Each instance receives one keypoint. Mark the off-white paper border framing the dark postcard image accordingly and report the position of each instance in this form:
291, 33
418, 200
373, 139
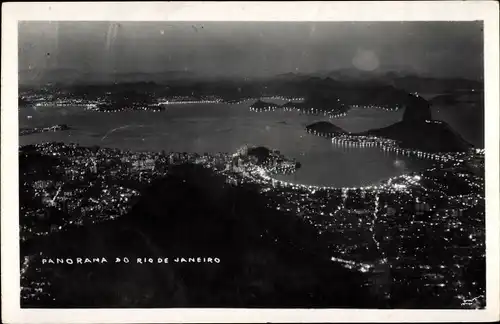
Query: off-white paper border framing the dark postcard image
262, 11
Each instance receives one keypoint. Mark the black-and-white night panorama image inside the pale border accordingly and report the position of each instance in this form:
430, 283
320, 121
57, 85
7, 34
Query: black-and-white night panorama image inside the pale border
251, 164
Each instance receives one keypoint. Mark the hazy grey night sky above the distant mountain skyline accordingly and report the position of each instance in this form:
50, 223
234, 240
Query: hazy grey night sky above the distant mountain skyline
440, 49
